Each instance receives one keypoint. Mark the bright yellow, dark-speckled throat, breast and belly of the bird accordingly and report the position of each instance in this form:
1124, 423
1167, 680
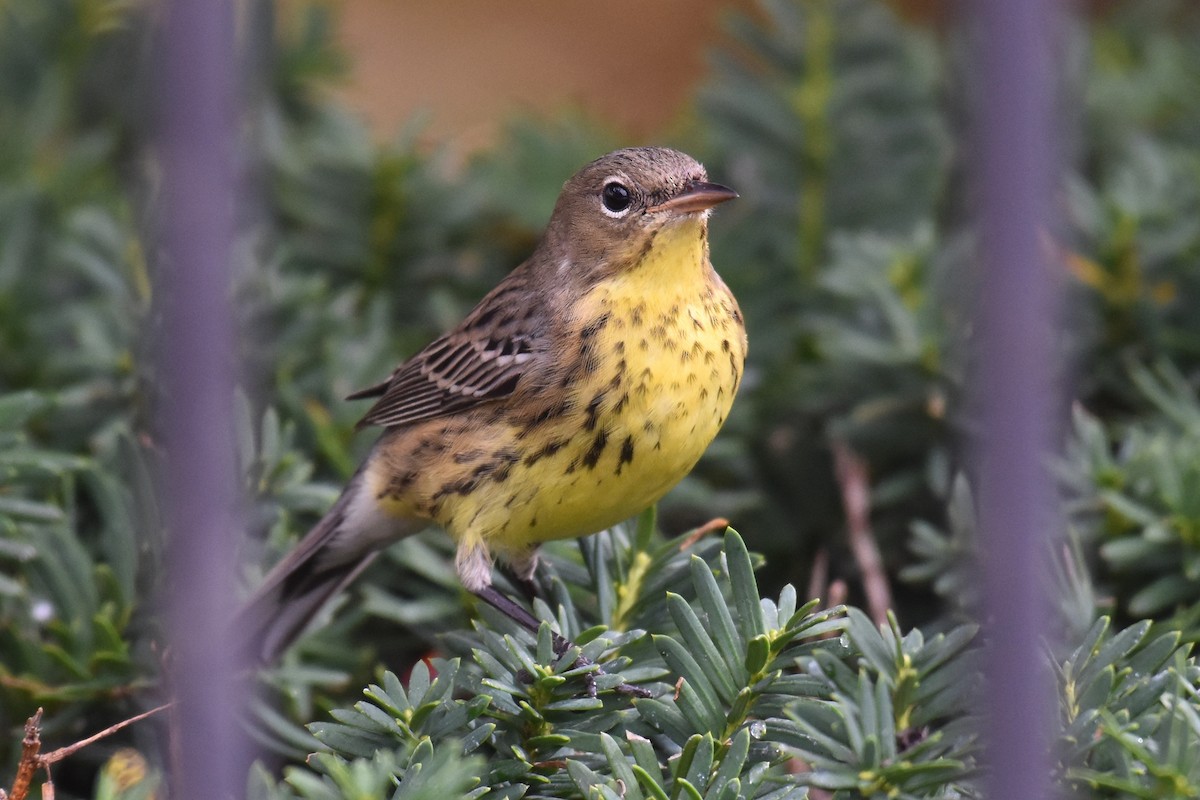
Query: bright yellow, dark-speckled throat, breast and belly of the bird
667, 347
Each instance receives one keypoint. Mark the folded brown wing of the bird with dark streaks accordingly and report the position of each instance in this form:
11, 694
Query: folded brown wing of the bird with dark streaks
481, 362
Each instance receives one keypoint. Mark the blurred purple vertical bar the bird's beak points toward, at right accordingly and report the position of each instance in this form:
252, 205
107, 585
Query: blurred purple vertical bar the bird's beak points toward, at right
1015, 382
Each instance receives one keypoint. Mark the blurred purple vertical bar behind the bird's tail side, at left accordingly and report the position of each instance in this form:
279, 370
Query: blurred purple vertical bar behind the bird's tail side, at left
196, 137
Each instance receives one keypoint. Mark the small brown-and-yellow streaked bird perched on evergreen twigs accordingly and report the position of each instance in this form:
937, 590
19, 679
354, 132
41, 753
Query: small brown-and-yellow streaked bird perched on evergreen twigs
575, 395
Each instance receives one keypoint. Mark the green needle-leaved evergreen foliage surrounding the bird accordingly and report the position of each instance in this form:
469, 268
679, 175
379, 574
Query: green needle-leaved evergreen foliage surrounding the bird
839, 125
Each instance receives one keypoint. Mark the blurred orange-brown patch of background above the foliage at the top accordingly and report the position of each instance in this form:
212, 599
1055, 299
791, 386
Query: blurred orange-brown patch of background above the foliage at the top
470, 65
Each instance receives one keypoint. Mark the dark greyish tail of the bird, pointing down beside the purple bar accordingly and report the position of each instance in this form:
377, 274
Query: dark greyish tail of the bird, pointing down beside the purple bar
322, 566
